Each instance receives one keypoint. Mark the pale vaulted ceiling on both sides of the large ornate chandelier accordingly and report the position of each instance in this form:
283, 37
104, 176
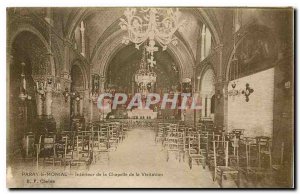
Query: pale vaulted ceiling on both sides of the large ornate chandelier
100, 23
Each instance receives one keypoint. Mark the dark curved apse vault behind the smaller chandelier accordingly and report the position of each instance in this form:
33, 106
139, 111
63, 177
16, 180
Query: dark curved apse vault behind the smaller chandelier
125, 63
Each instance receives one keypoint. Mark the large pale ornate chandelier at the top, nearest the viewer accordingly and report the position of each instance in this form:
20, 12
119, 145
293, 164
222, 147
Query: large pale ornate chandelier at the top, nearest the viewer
151, 25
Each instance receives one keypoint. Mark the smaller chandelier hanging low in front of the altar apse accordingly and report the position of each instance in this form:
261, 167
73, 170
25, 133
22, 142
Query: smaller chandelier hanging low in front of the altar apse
145, 77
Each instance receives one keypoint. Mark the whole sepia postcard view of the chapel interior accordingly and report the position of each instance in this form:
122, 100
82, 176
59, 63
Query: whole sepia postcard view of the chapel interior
239, 62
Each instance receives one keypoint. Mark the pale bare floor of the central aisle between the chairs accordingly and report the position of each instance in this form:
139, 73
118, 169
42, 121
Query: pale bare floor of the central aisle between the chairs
138, 153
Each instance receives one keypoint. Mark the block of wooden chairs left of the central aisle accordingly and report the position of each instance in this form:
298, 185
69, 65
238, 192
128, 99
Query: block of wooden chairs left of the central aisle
74, 148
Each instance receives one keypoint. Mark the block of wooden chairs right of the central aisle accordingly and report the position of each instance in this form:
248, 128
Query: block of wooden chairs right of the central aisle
226, 154
